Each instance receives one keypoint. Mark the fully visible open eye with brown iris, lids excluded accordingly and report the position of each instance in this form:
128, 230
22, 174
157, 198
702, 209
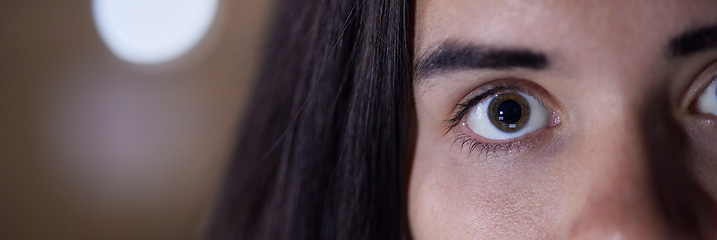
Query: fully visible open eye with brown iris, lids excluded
507, 116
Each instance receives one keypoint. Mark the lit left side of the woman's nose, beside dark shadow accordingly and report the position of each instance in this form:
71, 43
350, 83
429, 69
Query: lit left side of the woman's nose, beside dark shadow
619, 199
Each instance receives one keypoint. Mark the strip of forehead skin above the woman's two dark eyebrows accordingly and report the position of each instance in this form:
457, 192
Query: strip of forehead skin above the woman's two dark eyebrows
553, 25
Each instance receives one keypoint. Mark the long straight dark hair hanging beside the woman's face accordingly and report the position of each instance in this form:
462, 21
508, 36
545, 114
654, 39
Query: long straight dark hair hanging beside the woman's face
322, 149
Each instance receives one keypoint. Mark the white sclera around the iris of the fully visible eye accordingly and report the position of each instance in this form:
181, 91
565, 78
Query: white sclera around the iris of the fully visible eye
479, 122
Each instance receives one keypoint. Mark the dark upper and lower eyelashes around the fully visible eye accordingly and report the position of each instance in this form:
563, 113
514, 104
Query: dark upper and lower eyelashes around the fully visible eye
485, 148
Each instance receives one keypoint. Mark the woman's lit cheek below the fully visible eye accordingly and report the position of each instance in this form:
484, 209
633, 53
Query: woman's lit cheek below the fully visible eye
456, 196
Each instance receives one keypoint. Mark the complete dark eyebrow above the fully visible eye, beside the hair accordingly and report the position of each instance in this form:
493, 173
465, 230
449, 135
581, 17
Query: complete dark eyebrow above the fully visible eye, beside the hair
451, 56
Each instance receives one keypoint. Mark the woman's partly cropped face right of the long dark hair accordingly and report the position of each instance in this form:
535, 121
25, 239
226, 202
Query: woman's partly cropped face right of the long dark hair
565, 119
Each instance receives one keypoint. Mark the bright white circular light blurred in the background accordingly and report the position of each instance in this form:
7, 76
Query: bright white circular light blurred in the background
152, 31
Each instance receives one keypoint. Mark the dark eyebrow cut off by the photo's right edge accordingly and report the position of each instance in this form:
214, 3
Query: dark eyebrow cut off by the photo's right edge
694, 41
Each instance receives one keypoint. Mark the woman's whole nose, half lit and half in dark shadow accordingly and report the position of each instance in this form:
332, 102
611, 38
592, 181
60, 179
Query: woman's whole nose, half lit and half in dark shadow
639, 184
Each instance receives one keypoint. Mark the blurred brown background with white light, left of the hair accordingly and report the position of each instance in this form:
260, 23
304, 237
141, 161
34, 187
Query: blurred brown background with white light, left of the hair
117, 117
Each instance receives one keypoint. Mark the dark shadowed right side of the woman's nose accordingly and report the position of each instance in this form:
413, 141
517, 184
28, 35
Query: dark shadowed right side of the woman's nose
683, 203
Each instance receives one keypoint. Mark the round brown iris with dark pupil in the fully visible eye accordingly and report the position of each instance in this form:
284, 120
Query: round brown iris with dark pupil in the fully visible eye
509, 112
